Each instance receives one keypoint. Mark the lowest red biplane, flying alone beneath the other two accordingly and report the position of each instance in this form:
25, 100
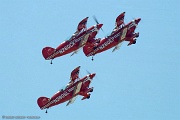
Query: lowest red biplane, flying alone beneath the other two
75, 87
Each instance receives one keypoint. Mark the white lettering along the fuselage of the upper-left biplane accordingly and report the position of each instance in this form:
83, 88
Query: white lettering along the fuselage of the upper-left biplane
72, 43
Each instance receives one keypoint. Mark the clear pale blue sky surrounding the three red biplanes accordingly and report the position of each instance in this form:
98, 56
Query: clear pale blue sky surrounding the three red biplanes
137, 82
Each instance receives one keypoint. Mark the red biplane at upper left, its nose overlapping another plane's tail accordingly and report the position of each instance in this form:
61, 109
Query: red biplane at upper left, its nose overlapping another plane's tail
77, 40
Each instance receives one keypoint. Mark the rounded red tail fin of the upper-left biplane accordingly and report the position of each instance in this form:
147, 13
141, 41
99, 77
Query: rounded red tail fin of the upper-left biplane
47, 51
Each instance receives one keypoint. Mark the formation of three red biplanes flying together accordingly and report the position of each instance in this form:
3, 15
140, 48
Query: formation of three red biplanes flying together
85, 38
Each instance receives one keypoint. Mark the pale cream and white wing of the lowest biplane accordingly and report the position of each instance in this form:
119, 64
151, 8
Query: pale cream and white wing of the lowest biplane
76, 90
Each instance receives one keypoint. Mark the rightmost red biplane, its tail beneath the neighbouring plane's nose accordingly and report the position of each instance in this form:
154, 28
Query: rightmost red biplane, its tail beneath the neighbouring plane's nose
120, 33
